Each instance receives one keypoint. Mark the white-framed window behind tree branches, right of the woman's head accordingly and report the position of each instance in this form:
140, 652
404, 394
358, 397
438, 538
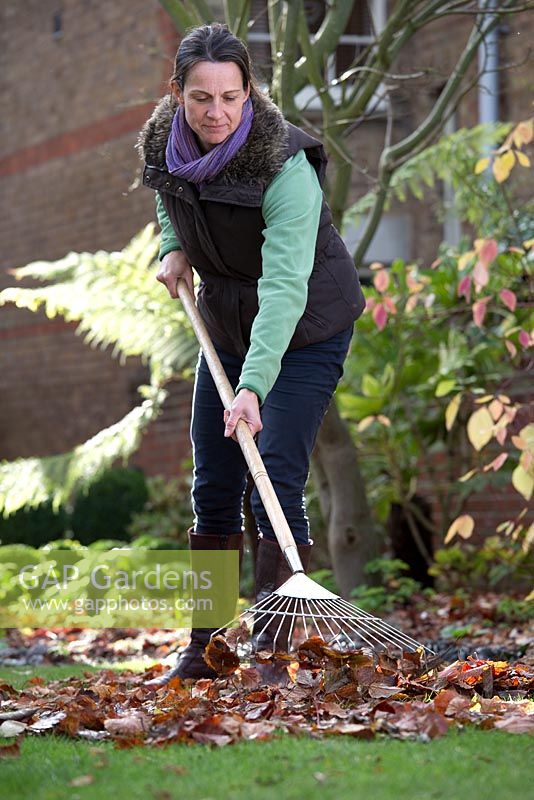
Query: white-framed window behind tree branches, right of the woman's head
367, 17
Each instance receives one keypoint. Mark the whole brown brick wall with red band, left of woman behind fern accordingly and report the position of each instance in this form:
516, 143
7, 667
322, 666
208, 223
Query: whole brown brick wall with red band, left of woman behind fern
68, 170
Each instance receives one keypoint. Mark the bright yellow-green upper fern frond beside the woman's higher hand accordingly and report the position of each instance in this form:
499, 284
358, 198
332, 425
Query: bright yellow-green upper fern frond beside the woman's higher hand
116, 300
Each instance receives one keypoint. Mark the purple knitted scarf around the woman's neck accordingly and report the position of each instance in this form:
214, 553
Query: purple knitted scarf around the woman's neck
184, 157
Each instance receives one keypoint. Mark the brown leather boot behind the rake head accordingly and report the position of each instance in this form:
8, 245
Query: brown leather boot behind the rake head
272, 570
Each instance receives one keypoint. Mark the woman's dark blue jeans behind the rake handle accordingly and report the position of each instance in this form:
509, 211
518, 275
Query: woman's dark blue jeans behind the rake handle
291, 416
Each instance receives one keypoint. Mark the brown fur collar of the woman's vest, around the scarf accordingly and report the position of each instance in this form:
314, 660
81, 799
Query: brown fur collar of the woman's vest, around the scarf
258, 161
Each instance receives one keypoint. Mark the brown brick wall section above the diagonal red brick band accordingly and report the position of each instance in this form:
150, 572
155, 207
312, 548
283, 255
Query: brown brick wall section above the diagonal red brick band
108, 58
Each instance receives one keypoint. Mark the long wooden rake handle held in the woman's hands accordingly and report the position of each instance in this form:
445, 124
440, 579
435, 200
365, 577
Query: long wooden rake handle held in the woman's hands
243, 435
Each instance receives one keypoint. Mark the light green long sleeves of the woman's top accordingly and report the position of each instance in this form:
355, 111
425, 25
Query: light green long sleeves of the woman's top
291, 209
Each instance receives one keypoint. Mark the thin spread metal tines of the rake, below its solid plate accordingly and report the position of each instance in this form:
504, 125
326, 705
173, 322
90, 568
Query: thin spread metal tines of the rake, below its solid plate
336, 621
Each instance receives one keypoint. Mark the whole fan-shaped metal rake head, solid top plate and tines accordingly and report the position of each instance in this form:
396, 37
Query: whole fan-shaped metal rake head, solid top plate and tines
302, 608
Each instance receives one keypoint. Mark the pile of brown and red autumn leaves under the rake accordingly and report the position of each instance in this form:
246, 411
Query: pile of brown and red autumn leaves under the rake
356, 693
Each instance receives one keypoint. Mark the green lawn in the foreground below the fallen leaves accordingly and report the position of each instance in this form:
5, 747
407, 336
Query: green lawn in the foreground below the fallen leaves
471, 764
